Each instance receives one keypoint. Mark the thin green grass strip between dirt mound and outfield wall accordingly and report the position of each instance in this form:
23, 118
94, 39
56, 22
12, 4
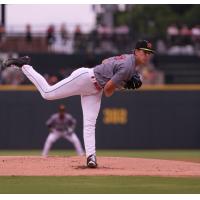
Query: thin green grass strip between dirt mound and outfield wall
190, 155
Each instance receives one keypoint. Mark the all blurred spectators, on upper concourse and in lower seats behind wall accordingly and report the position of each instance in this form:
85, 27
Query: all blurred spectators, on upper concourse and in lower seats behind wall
104, 40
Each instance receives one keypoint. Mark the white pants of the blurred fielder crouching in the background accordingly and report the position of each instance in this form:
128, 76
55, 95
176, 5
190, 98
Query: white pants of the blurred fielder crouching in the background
55, 135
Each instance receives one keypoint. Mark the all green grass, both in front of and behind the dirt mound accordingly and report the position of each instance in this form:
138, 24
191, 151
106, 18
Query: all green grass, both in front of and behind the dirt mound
105, 184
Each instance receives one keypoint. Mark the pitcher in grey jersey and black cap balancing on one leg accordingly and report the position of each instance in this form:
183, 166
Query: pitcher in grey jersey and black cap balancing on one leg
112, 74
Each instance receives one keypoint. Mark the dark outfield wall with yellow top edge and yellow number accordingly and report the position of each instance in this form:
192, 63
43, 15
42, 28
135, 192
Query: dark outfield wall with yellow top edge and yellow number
152, 118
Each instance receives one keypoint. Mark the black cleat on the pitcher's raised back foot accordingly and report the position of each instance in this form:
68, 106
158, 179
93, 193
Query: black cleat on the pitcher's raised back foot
19, 62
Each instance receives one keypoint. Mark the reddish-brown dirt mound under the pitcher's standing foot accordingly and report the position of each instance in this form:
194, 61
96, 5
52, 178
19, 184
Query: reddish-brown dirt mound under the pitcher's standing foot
75, 166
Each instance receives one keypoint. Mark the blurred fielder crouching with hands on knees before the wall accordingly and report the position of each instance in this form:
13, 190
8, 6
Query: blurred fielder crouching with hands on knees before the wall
62, 124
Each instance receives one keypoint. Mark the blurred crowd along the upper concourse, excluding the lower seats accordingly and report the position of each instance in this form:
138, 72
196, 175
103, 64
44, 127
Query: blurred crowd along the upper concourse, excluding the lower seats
102, 39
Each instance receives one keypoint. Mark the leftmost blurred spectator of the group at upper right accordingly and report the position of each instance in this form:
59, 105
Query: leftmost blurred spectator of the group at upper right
172, 34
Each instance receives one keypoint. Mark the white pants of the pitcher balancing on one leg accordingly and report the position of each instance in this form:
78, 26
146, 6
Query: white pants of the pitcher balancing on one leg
78, 83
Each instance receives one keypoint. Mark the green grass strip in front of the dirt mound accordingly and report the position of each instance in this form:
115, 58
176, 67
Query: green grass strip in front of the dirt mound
99, 185
